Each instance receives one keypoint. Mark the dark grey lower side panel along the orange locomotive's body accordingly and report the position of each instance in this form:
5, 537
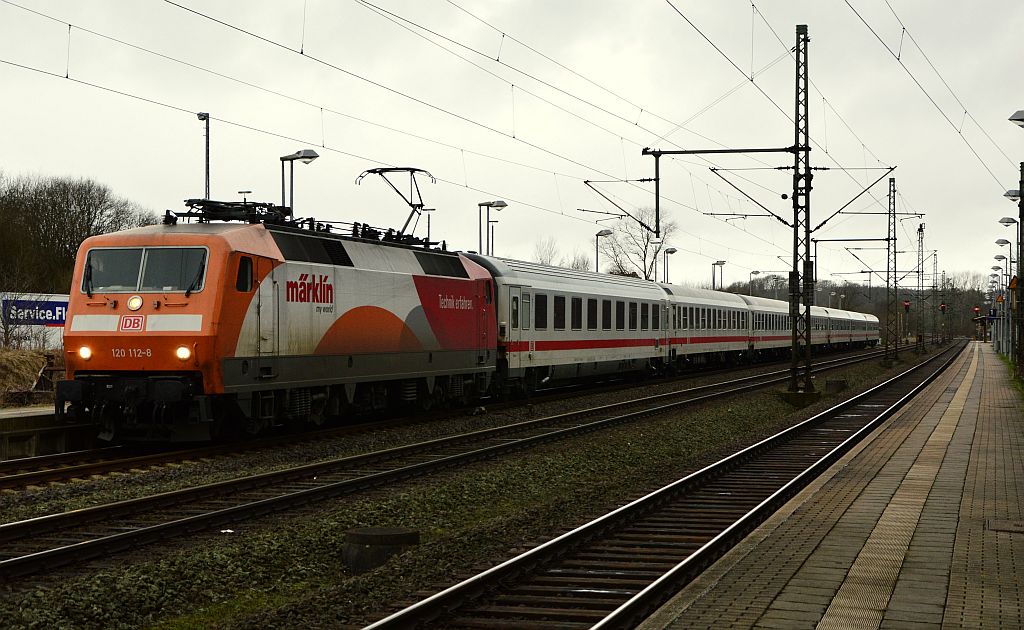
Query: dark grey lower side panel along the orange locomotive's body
244, 374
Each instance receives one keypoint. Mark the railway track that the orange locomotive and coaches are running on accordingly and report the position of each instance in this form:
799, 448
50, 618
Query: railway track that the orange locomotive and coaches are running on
62, 468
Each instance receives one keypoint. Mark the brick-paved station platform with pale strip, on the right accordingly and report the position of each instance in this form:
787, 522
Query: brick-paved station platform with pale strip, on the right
921, 526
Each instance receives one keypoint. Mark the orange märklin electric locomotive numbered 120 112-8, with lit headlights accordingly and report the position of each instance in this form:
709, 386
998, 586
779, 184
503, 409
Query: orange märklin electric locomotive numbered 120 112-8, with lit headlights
245, 320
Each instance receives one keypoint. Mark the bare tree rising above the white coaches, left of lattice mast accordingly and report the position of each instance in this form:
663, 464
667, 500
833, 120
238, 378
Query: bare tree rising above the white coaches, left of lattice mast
632, 248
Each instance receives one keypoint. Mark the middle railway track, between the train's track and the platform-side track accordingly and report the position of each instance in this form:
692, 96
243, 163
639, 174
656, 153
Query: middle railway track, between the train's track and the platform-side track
48, 542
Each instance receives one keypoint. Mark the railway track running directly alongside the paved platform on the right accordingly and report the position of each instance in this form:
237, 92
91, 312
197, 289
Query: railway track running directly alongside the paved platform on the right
617, 570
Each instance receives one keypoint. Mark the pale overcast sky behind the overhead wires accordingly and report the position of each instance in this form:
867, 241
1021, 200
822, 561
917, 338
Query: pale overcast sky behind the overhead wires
573, 92
